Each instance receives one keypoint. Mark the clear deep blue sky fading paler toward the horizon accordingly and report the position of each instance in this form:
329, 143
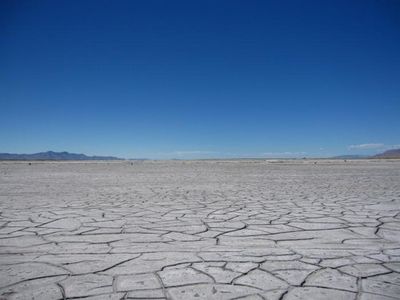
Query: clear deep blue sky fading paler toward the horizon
194, 79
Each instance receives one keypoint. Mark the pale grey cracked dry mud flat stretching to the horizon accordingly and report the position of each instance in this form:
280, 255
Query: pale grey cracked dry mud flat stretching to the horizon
200, 230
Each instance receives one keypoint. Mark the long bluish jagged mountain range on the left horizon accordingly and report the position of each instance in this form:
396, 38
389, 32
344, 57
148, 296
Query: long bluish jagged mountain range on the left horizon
51, 155
